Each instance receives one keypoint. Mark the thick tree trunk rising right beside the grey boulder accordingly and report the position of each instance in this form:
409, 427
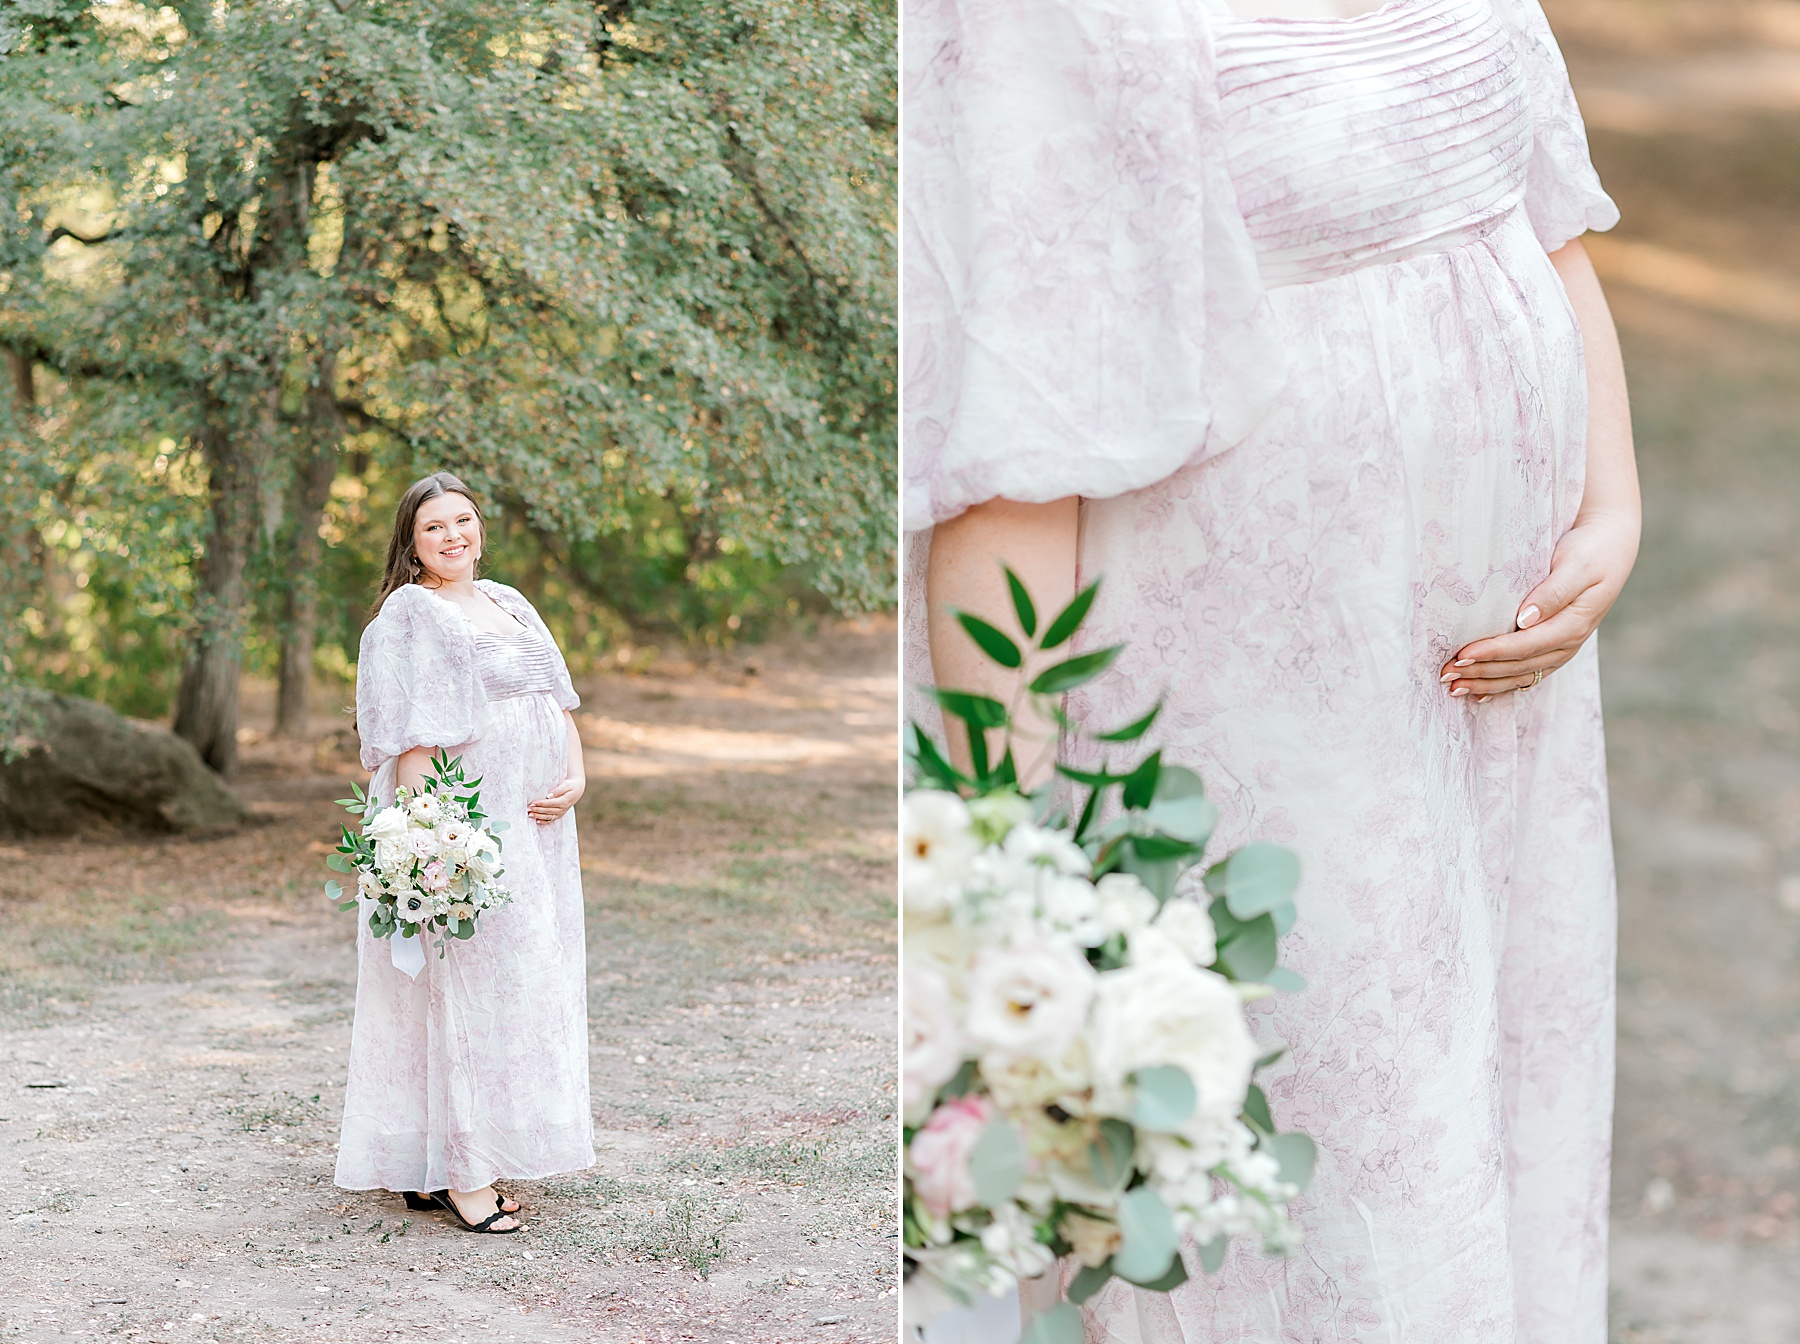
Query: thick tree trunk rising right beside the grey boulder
206, 710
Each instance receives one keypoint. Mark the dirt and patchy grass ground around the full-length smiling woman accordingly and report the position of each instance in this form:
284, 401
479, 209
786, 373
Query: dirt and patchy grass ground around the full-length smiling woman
177, 1014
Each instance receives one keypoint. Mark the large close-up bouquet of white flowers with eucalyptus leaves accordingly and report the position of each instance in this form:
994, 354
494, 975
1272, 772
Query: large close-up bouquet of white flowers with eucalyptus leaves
1077, 1066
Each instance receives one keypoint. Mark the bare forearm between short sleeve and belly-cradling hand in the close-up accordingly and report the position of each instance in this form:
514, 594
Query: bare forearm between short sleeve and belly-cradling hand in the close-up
1612, 490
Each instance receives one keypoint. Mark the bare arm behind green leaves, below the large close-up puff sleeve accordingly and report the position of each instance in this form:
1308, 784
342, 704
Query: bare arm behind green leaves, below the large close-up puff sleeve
966, 575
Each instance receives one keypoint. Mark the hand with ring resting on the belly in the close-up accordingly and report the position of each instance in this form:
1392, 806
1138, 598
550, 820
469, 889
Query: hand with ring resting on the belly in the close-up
1587, 575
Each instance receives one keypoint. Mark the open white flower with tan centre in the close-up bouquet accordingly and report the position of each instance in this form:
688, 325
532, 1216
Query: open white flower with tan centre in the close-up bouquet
1027, 1001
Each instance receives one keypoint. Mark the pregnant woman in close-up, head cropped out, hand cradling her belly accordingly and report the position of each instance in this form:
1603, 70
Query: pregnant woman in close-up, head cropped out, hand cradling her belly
1275, 318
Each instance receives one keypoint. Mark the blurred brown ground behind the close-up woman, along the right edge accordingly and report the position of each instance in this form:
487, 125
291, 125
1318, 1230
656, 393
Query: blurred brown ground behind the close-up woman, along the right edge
1696, 130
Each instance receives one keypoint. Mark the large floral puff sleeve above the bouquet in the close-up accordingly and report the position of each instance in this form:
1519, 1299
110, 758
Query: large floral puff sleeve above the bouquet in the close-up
1083, 305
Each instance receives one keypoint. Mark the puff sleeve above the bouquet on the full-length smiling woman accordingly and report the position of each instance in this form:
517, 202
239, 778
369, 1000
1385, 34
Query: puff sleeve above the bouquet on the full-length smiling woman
417, 679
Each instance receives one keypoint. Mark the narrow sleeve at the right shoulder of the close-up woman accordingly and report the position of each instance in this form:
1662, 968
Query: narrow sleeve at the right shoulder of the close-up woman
1563, 193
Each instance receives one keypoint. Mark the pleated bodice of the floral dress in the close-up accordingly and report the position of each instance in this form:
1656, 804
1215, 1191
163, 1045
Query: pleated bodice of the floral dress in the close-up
1360, 141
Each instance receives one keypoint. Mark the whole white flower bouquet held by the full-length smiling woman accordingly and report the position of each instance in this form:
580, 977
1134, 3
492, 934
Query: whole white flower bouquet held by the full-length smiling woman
426, 863
